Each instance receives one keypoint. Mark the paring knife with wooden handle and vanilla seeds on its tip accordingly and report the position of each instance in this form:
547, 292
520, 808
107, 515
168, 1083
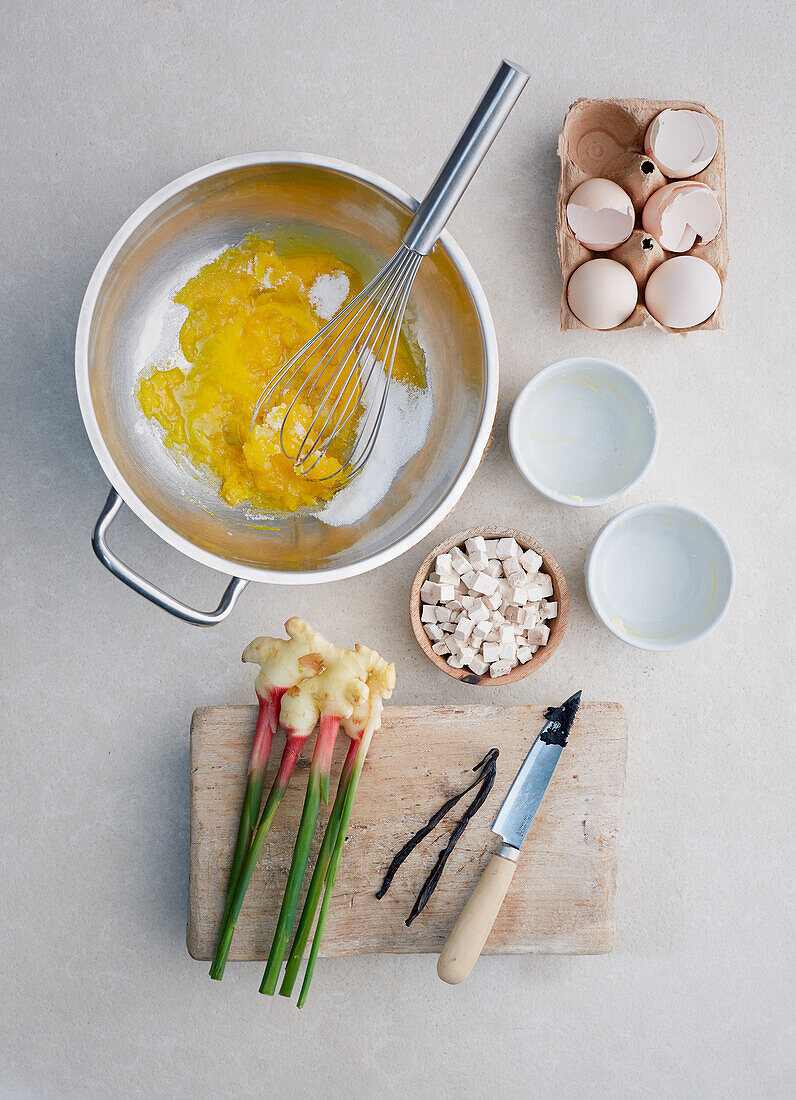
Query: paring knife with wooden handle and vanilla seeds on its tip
471, 931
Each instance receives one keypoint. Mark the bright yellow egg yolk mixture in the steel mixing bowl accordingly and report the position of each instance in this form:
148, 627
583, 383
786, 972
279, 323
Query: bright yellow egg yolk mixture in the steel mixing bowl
249, 312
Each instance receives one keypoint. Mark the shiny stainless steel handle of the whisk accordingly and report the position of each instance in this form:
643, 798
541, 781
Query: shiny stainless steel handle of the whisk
460, 168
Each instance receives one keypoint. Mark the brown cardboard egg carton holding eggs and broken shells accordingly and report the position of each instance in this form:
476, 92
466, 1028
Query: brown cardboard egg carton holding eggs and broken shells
605, 138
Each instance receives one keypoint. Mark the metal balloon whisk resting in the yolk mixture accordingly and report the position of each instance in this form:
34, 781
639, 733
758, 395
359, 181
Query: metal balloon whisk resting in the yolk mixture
342, 376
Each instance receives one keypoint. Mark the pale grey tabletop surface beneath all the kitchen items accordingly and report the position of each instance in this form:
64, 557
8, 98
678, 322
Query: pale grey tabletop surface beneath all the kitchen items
105, 103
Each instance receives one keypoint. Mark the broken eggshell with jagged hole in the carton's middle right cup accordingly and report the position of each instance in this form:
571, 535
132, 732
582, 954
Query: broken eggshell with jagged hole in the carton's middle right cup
683, 215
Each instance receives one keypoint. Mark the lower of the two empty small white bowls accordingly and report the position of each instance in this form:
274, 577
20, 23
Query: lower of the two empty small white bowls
660, 577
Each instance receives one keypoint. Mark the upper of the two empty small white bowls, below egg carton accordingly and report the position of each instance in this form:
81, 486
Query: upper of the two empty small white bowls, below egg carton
583, 432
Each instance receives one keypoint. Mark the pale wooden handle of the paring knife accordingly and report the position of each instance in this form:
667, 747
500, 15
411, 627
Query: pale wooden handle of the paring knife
472, 930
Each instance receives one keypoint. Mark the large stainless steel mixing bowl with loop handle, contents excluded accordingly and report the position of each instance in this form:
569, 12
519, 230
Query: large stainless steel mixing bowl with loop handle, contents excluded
128, 322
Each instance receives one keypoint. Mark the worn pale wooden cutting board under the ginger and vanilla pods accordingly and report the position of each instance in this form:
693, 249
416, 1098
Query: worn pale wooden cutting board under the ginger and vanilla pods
561, 900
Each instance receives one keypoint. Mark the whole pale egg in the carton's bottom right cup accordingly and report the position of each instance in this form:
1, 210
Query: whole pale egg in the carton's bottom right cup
683, 292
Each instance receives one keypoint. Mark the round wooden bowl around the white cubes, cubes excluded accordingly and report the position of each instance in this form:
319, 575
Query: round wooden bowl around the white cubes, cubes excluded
558, 626
